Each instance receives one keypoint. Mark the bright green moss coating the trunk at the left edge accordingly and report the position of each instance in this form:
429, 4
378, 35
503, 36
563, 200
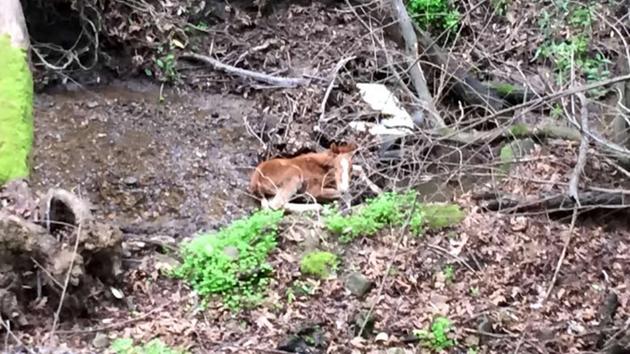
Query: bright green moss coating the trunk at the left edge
16, 112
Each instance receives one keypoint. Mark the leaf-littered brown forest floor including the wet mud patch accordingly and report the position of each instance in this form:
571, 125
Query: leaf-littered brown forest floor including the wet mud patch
172, 162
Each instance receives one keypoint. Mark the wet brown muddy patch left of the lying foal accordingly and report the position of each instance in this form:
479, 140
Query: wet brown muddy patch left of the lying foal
183, 161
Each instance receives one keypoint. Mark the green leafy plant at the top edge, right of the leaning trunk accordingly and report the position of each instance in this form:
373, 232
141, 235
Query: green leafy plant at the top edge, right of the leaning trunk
434, 14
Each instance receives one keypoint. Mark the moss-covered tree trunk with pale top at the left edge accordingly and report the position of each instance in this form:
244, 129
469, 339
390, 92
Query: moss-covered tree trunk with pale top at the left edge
16, 94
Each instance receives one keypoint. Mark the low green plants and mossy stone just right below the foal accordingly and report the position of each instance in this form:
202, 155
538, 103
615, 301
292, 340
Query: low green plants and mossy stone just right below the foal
392, 209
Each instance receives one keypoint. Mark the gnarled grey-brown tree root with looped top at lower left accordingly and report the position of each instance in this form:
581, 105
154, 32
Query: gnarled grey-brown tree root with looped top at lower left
40, 255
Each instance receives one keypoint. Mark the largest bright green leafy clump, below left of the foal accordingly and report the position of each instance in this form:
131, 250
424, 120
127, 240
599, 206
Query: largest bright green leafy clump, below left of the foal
232, 262
